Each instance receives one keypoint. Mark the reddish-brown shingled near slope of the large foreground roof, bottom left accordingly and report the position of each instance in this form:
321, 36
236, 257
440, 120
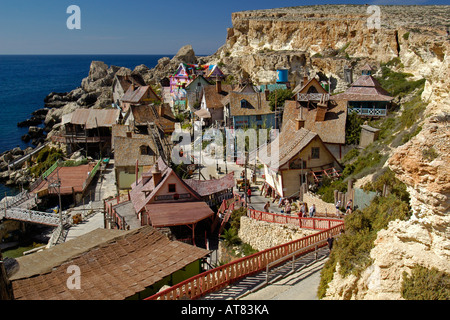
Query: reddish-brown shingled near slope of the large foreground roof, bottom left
114, 270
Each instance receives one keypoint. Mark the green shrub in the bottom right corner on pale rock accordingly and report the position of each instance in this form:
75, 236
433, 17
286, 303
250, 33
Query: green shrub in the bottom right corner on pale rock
426, 284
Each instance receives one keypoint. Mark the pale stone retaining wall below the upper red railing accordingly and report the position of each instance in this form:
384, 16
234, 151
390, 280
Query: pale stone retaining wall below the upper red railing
262, 235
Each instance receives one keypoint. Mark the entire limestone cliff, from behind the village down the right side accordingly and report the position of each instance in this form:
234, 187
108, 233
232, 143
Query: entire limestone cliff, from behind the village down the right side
321, 40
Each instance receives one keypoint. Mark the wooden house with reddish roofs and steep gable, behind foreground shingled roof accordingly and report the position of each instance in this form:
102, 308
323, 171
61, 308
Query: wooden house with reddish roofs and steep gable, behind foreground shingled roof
162, 199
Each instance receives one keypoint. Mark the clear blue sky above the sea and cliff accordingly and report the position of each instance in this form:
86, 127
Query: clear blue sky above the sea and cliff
133, 26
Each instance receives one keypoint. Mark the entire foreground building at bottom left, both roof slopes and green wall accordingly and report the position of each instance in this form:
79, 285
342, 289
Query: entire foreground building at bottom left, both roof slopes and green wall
112, 264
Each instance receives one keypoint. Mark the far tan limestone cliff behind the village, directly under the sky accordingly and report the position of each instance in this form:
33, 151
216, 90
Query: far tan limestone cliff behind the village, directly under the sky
326, 38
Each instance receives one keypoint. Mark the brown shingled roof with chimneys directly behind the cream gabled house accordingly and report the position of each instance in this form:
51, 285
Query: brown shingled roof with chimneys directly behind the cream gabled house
331, 130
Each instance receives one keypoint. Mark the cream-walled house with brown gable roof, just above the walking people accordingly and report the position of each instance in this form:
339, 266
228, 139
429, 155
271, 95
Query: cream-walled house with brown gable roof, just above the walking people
303, 158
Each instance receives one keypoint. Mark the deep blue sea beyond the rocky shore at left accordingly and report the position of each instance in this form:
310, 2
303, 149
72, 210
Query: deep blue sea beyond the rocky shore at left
25, 80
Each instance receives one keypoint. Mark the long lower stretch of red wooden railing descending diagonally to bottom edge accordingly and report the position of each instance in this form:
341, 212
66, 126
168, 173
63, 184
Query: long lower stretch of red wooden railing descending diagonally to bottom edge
220, 277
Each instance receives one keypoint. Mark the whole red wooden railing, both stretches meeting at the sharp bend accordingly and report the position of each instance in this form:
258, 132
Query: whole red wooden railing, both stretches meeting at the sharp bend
224, 276
